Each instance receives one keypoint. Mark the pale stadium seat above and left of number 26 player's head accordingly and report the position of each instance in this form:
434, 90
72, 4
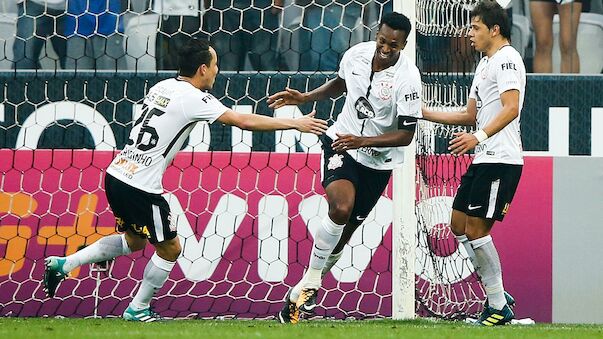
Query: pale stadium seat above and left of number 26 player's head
139, 43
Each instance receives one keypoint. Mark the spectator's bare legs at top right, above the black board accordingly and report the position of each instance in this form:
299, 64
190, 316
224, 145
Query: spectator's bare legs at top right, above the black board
542, 12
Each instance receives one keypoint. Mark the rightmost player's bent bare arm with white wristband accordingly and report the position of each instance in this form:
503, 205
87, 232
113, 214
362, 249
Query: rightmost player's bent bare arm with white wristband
464, 142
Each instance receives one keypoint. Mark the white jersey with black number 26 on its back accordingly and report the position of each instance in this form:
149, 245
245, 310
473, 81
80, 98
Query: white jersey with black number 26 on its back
170, 111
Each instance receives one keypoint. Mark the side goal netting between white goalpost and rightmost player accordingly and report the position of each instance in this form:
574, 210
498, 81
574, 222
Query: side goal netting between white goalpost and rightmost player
447, 285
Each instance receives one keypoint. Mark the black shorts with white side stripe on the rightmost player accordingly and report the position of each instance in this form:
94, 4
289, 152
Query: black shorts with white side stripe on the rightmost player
487, 190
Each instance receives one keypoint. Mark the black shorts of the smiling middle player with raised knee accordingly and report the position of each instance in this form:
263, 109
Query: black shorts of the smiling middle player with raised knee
369, 183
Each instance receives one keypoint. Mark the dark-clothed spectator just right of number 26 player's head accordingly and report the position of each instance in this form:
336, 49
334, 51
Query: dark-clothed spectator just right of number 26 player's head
241, 28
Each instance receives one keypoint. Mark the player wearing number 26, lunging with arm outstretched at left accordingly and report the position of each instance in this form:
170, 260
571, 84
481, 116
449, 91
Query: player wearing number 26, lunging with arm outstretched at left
133, 181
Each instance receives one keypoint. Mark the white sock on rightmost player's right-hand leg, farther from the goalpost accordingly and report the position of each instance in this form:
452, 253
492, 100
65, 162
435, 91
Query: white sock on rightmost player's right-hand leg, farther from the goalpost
490, 271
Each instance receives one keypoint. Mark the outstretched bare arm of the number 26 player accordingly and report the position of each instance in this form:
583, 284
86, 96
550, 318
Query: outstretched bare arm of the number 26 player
256, 122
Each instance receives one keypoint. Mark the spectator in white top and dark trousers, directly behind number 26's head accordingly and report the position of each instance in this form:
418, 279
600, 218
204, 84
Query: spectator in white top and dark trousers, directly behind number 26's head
179, 21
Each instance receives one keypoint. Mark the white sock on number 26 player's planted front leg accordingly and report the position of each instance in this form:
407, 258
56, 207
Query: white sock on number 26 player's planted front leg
155, 275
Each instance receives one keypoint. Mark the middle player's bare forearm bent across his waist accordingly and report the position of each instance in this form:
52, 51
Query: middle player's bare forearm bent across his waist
346, 142
